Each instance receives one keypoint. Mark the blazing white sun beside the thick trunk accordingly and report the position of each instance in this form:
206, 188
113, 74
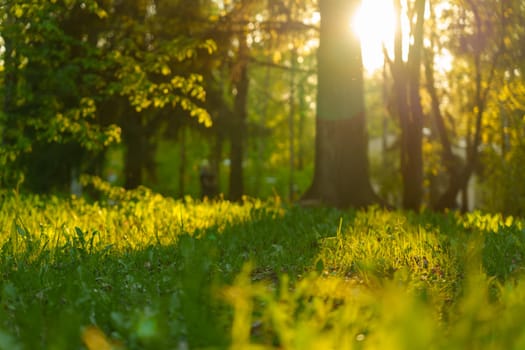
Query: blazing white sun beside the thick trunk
374, 23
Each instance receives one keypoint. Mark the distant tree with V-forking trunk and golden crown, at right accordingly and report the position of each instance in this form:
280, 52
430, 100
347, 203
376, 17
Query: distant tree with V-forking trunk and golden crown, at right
477, 38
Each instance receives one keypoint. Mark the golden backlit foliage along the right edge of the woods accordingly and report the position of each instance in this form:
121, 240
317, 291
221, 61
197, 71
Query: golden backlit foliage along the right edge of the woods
481, 99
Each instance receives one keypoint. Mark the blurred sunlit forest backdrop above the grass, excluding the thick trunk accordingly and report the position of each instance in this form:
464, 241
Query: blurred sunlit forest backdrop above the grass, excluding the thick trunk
211, 98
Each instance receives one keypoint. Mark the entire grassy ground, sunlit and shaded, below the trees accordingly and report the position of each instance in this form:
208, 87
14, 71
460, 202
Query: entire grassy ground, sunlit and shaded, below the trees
140, 271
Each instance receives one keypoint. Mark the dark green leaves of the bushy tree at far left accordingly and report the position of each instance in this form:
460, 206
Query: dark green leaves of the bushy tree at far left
43, 66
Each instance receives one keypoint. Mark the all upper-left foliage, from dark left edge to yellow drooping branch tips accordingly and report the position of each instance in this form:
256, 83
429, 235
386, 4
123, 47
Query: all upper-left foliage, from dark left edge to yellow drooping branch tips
72, 72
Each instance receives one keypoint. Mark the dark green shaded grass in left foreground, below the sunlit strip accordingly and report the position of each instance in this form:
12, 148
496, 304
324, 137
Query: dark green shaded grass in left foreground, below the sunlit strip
158, 297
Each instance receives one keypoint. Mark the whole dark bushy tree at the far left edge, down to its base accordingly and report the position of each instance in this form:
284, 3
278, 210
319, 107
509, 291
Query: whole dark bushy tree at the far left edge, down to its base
53, 81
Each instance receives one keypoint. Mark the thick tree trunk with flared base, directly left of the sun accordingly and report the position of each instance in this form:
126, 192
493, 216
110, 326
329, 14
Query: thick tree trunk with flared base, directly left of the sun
341, 175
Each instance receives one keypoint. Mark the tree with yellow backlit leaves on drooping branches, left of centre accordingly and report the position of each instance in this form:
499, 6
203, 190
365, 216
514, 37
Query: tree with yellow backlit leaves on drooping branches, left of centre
156, 46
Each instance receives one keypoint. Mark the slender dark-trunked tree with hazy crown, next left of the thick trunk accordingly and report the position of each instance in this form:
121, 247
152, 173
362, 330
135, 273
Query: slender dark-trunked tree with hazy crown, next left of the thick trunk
250, 35
